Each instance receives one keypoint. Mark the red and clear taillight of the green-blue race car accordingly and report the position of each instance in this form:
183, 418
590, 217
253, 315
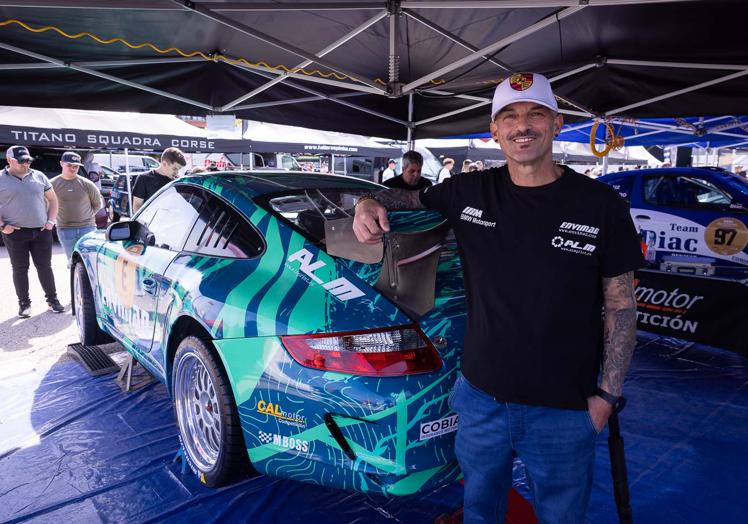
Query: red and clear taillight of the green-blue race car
377, 352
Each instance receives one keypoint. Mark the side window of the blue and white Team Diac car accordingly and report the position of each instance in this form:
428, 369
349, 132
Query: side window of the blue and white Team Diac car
685, 192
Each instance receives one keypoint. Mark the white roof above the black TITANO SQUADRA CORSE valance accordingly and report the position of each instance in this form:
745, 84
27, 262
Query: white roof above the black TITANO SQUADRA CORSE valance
97, 121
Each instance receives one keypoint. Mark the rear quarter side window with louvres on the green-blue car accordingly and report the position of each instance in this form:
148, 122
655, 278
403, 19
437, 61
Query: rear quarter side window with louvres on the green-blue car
222, 231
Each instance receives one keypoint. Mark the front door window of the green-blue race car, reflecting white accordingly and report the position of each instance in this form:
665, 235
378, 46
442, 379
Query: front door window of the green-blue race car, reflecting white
169, 216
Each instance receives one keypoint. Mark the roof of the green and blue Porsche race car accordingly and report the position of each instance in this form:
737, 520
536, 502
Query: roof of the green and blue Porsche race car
258, 183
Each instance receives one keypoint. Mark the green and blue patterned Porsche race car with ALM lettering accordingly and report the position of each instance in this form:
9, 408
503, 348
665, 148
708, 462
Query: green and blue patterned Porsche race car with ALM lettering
278, 355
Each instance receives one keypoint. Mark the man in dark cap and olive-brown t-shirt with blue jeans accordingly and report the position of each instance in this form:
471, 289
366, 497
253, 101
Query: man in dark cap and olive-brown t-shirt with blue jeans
79, 200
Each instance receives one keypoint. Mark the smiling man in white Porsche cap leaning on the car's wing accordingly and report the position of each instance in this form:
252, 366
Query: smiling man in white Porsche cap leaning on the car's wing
543, 250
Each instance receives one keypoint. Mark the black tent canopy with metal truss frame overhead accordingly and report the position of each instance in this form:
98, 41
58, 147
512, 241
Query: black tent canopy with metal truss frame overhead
397, 69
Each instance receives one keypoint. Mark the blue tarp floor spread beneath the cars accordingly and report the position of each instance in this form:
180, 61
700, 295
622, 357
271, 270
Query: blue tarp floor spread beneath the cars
75, 448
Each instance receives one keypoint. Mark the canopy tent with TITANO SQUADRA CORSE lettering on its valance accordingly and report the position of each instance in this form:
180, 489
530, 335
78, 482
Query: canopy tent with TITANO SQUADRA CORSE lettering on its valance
83, 129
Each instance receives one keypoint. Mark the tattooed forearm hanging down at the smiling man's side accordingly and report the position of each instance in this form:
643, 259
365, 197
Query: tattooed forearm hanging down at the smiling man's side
619, 338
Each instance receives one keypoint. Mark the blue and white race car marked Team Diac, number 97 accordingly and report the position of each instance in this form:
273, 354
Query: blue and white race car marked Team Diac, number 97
689, 216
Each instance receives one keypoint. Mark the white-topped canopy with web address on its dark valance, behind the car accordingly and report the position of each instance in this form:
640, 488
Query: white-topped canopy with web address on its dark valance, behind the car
267, 137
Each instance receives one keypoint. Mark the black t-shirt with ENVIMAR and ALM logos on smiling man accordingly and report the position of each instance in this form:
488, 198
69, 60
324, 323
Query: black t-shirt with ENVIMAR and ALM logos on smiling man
534, 259
